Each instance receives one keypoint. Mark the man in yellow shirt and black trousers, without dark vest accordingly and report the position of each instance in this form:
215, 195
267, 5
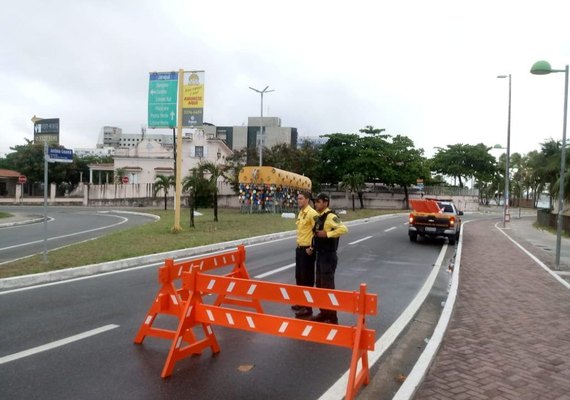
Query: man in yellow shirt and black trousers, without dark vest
304, 254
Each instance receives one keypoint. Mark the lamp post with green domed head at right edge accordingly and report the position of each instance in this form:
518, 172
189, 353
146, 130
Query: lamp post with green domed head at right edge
544, 68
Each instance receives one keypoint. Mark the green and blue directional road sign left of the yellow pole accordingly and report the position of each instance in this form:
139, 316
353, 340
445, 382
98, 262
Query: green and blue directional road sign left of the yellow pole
162, 99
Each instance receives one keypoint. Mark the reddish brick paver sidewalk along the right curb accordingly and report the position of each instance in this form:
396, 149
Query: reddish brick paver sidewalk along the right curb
509, 336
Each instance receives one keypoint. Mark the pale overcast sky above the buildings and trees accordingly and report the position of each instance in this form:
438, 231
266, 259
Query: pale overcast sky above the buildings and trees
424, 69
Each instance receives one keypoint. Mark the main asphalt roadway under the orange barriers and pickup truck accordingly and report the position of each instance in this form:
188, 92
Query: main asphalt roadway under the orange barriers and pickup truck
108, 309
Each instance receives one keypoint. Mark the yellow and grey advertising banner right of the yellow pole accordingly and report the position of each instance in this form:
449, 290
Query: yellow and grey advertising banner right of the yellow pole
193, 99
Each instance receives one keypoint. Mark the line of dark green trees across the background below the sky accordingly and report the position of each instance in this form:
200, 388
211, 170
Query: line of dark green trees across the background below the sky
348, 160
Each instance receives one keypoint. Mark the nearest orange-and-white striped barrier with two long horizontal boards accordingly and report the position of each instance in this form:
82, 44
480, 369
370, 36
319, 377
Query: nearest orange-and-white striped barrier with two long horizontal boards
196, 312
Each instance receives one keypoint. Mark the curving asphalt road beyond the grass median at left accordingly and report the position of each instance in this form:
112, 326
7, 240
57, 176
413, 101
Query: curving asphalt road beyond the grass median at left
66, 225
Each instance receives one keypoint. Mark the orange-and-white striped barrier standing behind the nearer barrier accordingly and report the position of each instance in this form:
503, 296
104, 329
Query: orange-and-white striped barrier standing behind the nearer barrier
170, 298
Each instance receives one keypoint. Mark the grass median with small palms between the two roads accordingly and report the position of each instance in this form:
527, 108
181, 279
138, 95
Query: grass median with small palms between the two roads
156, 237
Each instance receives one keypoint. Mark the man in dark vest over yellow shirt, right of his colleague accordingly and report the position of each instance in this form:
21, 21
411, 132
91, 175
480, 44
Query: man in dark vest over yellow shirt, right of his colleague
328, 229
